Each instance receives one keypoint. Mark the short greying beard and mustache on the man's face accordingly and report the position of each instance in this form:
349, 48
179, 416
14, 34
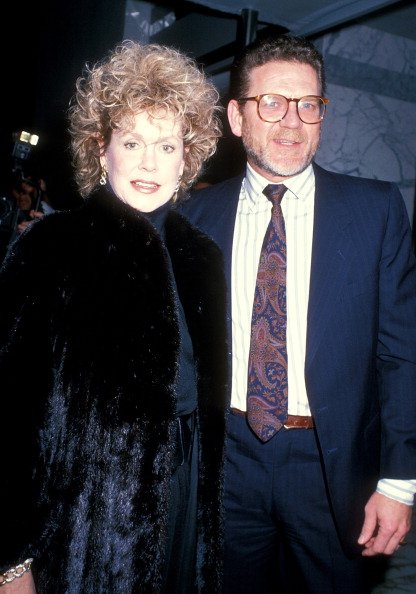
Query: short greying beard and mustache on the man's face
263, 160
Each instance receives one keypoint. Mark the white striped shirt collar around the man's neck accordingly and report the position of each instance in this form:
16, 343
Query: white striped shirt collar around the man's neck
300, 185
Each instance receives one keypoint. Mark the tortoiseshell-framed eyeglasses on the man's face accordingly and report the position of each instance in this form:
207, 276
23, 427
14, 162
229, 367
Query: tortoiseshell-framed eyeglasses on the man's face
273, 108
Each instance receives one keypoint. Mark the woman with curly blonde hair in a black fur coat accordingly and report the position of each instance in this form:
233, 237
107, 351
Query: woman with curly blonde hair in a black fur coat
116, 311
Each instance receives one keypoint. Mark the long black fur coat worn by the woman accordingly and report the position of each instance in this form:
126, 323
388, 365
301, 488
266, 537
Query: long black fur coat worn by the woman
88, 361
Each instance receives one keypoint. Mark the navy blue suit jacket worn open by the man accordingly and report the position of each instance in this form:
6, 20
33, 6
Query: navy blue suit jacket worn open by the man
360, 367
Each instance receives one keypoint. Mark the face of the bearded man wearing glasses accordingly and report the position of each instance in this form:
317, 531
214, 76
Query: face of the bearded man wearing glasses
282, 149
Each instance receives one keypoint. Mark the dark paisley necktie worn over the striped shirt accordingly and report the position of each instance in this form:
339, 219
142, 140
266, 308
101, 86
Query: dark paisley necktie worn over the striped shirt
267, 369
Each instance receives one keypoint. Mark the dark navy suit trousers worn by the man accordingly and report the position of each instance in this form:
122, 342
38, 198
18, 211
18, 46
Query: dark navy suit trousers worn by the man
280, 536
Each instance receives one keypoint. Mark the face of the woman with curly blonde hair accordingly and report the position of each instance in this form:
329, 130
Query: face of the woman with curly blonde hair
145, 164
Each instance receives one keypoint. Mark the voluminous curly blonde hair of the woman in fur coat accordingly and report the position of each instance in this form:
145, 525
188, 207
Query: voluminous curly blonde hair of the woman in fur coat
134, 78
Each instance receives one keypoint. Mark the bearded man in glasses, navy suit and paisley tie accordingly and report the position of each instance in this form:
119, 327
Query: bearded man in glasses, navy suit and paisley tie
308, 503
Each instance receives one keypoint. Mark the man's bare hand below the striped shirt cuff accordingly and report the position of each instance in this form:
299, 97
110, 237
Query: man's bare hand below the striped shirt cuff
386, 524
